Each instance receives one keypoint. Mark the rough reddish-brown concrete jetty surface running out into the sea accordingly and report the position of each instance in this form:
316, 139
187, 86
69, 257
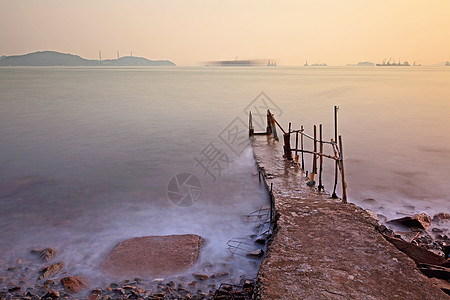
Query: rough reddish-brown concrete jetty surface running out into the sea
324, 249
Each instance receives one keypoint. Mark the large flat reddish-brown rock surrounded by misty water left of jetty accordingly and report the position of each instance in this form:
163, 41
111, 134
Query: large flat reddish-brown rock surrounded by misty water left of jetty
153, 255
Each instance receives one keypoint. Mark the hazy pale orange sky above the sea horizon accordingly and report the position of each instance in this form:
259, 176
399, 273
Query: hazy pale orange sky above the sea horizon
191, 32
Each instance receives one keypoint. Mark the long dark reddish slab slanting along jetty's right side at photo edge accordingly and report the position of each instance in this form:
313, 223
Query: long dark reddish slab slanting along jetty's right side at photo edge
418, 254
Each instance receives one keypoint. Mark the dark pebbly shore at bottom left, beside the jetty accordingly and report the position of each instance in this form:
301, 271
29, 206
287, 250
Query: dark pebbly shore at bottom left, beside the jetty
52, 282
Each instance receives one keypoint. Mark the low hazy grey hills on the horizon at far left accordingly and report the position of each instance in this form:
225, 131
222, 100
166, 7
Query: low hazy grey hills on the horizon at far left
52, 58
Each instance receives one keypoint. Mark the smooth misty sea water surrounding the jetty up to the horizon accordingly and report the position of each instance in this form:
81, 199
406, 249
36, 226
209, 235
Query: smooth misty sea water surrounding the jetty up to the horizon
86, 154
